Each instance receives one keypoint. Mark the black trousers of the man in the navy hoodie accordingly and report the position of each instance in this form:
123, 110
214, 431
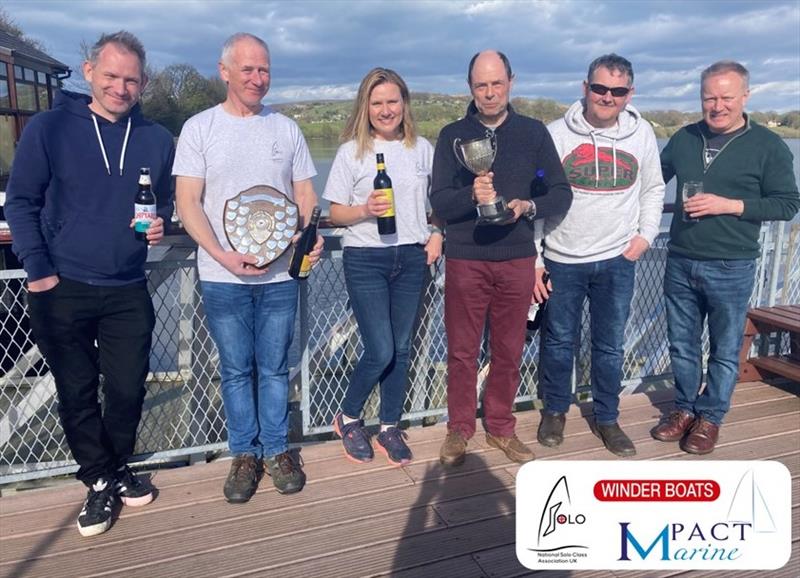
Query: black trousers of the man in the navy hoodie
84, 330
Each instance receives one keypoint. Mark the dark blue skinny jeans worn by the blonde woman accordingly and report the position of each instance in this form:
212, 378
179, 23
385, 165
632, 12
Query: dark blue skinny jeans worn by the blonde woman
385, 286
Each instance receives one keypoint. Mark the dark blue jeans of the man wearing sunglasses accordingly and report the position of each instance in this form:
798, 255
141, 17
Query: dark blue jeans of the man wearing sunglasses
609, 286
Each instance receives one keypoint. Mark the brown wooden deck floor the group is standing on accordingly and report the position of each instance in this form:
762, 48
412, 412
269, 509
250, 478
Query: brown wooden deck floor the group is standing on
364, 520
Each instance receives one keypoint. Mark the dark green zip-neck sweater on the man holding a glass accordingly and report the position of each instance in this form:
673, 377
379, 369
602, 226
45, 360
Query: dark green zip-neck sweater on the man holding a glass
755, 166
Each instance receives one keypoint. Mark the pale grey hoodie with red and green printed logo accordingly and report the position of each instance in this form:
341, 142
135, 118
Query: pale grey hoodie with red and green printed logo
617, 187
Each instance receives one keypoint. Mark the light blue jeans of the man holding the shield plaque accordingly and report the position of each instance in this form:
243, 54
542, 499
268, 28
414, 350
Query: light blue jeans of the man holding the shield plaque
252, 326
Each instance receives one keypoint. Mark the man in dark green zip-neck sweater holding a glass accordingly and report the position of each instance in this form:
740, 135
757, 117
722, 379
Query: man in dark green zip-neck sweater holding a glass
747, 177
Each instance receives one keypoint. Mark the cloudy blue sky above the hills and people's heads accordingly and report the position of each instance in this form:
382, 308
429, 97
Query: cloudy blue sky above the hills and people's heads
322, 49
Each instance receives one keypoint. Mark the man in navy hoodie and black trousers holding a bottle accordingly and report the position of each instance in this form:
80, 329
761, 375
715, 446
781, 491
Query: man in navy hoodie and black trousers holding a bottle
70, 207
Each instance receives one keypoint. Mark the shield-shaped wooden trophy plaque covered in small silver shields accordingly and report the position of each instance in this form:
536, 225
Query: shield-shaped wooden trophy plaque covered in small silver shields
260, 221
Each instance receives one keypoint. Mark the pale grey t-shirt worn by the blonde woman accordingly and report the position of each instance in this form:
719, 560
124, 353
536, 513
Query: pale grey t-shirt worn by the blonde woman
350, 182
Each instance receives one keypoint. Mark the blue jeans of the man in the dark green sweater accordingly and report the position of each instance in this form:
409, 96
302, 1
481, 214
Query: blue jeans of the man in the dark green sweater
719, 291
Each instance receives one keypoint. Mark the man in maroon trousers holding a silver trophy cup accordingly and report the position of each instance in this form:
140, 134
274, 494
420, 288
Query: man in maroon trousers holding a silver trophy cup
484, 170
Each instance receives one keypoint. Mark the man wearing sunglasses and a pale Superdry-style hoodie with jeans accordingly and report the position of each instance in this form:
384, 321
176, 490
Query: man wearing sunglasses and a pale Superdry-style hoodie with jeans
610, 156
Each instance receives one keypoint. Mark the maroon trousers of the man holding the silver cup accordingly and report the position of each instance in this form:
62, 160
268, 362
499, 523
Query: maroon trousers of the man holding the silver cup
474, 289
